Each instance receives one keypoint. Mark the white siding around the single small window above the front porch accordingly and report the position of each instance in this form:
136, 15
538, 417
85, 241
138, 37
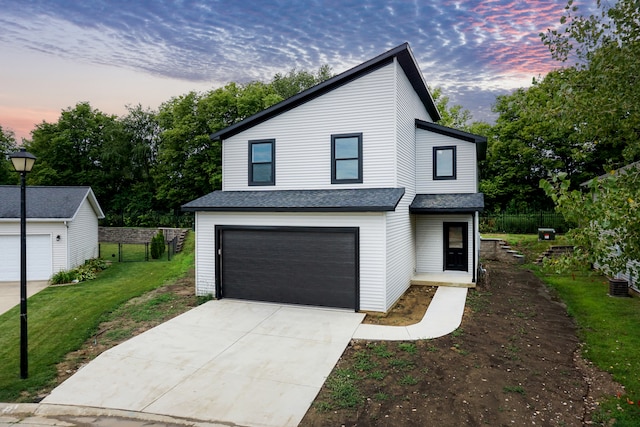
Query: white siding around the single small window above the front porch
466, 164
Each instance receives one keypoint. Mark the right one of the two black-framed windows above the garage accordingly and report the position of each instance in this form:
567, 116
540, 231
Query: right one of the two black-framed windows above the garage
346, 158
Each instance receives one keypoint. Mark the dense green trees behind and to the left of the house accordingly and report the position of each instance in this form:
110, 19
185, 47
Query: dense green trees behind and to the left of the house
148, 161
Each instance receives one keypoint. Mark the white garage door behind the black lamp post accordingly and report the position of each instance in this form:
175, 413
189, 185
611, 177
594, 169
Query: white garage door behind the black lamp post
39, 259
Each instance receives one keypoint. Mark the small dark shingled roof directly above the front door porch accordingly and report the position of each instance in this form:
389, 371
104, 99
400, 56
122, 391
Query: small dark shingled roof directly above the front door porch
447, 203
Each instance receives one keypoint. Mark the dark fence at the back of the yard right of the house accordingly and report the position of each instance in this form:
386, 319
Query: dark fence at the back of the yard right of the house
522, 223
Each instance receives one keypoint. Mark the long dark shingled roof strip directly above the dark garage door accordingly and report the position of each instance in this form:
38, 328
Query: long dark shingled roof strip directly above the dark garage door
340, 200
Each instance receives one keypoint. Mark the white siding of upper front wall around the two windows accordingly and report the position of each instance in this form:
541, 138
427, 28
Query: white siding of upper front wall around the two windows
303, 135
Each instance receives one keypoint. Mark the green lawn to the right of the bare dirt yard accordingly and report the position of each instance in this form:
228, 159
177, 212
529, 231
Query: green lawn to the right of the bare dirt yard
608, 326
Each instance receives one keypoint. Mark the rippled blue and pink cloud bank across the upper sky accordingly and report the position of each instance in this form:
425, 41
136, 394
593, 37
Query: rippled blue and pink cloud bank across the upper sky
473, 49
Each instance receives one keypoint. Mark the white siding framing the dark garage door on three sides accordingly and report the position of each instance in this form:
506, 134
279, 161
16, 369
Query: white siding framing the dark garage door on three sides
372, 246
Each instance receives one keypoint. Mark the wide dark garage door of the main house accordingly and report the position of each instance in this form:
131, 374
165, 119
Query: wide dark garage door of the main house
311, 266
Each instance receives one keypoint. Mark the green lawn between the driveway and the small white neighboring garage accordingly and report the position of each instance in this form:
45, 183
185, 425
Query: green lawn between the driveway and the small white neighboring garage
60, 319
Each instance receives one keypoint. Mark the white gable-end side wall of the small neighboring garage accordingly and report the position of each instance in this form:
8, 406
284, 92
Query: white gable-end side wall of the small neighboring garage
83, 236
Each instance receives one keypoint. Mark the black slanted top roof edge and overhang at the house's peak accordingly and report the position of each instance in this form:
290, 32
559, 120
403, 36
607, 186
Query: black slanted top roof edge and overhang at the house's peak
405, 59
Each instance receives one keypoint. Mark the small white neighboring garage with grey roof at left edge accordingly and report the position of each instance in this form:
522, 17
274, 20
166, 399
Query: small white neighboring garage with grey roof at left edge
62, 230
